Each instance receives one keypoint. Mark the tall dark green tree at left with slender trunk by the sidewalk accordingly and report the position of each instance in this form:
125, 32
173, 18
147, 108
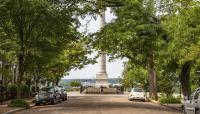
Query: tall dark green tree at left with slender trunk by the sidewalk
25, 21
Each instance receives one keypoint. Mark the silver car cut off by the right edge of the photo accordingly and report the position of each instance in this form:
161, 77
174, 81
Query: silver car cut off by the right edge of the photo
191, 105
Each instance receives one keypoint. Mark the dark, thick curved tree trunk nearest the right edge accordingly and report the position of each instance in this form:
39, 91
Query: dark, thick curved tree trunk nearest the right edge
185, 78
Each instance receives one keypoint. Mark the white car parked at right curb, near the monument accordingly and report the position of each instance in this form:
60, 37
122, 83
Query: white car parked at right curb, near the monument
137, 94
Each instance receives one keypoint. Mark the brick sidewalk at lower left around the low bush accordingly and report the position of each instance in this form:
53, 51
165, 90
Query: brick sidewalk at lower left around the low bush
4, 109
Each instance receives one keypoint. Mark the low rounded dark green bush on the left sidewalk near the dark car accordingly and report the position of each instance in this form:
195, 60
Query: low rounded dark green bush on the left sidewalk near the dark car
19, 103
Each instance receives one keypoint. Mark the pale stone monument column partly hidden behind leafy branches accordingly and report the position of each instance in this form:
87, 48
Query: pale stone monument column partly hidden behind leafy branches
101, 75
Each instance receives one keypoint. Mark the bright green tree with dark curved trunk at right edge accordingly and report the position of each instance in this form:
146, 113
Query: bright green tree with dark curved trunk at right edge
183, 47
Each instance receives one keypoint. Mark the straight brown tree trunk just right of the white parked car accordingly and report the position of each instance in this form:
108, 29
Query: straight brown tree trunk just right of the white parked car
152, 79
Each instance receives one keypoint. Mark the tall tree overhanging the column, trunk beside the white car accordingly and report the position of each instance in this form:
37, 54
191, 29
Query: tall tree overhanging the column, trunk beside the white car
136, 34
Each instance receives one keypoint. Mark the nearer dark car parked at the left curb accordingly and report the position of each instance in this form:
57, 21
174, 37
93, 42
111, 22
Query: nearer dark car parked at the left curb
48, 95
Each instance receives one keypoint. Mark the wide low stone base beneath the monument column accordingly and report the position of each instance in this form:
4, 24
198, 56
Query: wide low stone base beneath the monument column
104, 91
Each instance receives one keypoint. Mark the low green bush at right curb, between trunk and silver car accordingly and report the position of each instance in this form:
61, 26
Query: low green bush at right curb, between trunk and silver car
170, 100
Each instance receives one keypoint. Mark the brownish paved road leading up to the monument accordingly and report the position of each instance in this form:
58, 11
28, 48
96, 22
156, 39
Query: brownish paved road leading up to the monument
100, 104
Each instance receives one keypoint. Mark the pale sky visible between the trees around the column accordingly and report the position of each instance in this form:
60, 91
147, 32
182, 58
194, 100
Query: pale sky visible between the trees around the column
114, 69
